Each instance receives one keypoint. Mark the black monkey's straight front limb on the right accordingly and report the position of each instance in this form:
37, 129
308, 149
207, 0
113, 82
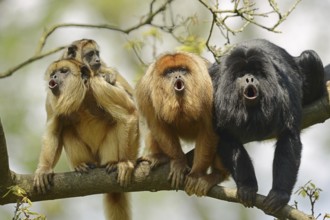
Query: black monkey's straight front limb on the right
285, 169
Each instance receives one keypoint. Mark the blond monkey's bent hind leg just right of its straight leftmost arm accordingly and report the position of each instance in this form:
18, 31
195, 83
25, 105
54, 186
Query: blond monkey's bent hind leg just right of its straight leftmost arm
80, 157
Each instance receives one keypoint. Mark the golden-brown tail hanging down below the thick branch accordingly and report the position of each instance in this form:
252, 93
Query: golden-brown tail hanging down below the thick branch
117, 206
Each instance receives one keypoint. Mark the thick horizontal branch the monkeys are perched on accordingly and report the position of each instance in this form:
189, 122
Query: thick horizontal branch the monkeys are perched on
73, 184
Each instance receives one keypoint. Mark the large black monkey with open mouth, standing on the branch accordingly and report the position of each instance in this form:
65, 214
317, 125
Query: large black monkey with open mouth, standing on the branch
272, 81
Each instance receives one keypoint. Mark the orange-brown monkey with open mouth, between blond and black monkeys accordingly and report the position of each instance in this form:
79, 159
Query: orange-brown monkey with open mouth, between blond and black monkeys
175, 96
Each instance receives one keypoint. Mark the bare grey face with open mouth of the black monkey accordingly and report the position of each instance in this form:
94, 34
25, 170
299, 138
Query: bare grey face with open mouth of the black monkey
249, 87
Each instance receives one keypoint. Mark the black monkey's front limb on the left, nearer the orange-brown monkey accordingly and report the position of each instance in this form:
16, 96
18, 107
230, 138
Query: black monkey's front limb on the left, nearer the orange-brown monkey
236, 159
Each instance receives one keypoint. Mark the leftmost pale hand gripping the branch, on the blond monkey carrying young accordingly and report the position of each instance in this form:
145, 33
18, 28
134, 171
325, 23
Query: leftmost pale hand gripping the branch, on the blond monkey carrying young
43, 179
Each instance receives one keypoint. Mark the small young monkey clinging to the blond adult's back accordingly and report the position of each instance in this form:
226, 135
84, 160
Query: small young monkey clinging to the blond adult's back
87, 51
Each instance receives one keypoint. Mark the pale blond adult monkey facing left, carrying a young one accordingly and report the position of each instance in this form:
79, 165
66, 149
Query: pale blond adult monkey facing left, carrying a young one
95, 122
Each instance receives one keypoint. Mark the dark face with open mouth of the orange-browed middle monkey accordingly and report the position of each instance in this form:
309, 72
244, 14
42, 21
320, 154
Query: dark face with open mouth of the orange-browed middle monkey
177, 76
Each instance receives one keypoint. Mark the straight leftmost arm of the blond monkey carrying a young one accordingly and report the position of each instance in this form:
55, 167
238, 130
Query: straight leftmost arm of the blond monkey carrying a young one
50, 153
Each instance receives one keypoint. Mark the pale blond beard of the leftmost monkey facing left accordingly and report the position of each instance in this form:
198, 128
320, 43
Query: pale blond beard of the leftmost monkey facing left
71, 97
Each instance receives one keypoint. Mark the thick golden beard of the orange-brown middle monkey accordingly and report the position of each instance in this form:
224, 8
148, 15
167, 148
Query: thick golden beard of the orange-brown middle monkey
188, 106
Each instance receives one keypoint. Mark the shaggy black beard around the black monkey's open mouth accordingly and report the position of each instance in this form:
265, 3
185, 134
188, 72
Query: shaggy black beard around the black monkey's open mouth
256, 121
